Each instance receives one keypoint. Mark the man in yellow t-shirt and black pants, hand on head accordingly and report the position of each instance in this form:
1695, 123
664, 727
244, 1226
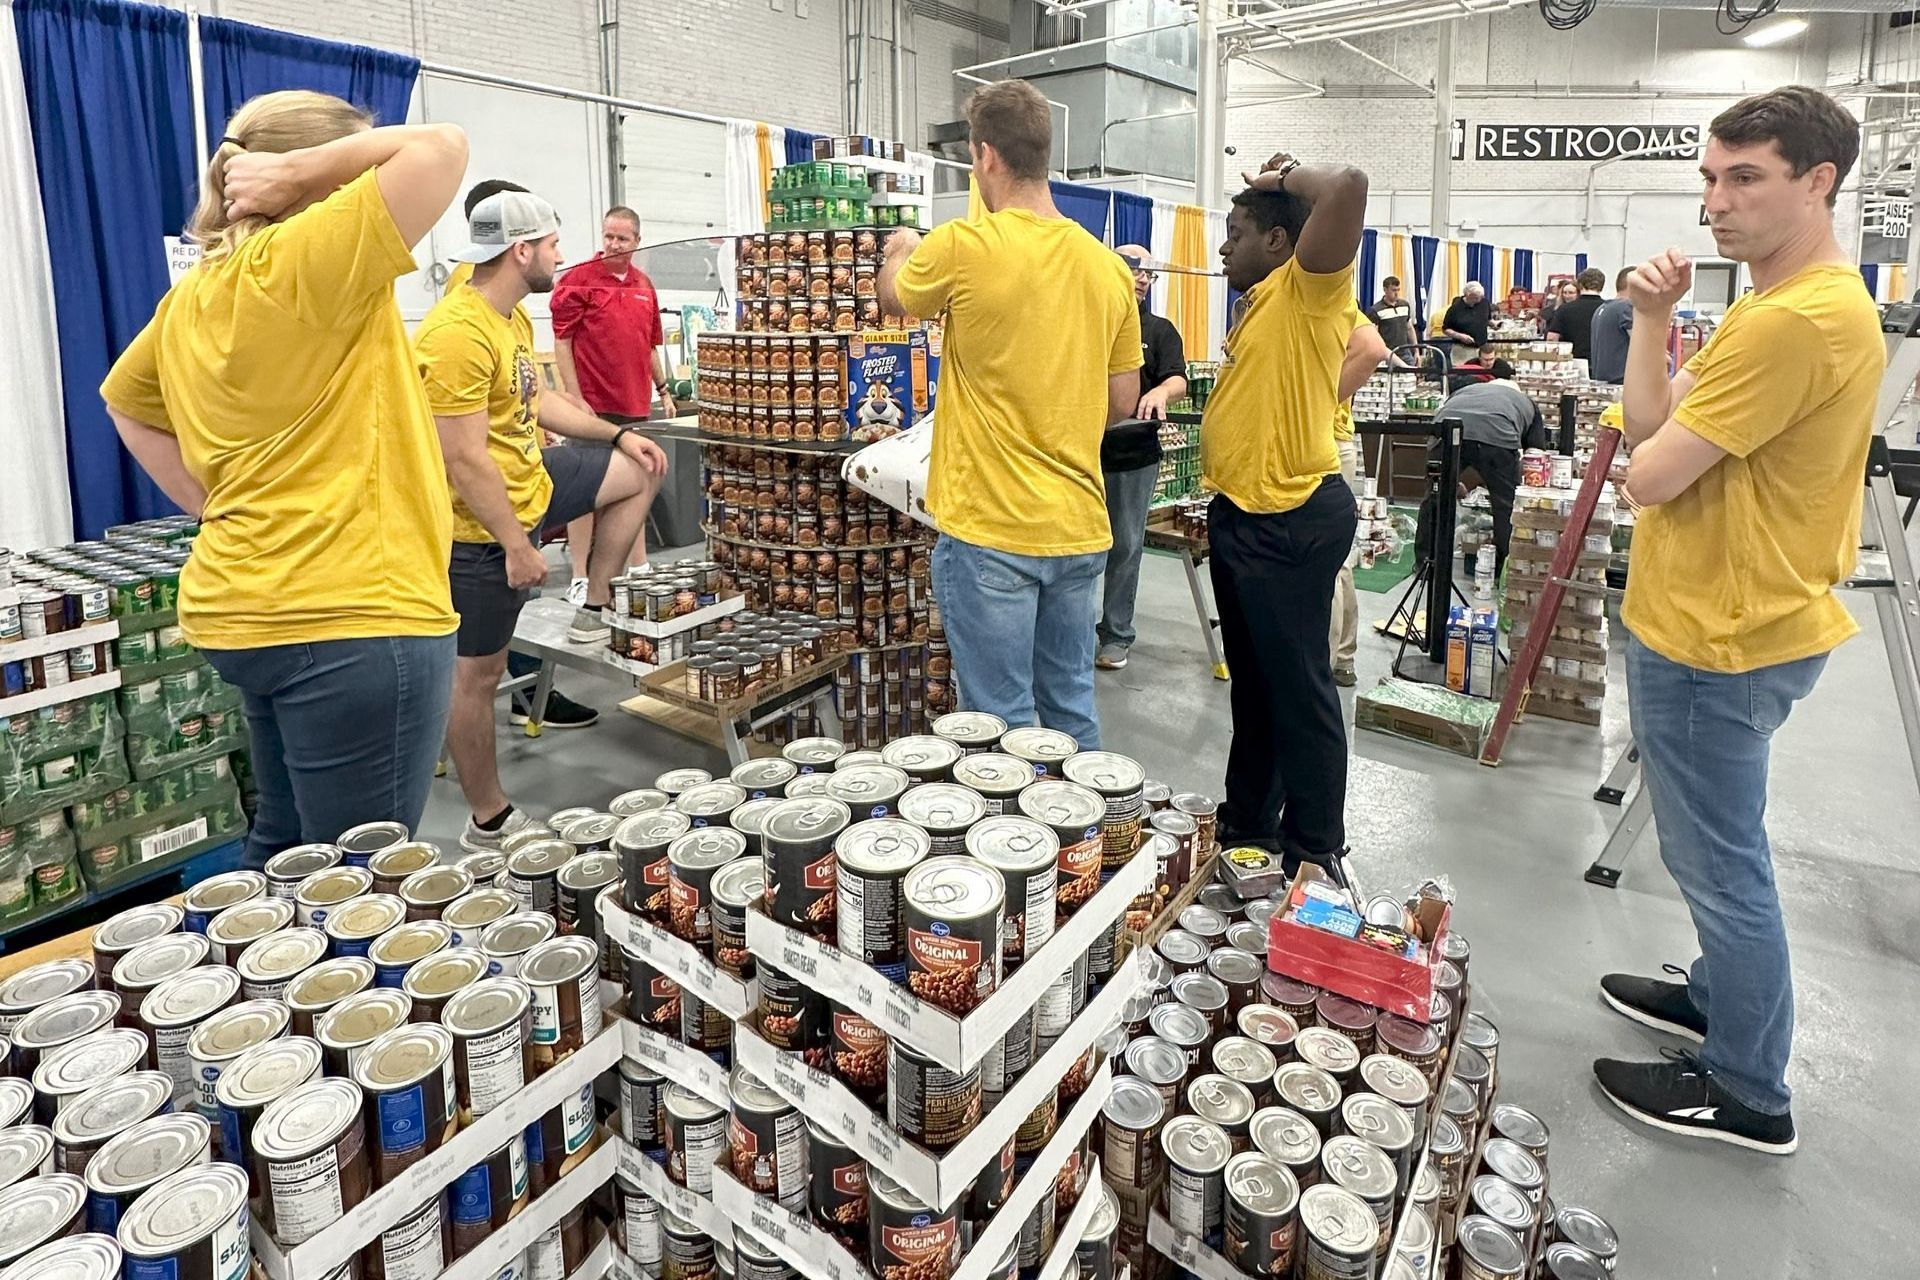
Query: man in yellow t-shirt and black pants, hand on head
1284, 519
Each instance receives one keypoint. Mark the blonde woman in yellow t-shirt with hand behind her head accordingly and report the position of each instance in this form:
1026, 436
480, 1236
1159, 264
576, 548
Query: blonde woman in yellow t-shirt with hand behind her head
274, 396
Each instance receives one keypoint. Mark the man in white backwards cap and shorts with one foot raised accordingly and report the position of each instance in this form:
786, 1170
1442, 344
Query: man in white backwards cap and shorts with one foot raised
477, 358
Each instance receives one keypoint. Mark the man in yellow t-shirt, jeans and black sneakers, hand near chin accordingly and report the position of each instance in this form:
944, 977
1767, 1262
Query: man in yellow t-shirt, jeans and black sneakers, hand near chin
1748, 469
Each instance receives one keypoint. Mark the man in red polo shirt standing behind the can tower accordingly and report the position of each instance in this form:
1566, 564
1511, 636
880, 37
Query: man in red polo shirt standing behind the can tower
608, 343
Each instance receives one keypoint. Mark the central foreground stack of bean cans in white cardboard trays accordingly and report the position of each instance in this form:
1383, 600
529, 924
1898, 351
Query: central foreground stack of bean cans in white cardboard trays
944, 863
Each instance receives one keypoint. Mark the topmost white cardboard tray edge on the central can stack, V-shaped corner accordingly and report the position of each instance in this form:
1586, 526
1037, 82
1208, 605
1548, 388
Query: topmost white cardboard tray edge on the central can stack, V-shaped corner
951, 1041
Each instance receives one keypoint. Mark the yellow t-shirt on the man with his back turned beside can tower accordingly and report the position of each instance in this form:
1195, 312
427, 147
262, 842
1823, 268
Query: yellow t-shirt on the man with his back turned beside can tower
1040, 316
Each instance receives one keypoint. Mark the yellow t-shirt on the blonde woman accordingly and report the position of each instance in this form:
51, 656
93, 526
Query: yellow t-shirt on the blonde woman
285, 373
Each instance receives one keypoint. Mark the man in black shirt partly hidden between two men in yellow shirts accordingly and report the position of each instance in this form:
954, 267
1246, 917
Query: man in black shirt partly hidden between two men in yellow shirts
1130, 458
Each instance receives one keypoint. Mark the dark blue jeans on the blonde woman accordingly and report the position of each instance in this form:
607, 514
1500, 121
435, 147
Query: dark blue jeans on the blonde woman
345, 732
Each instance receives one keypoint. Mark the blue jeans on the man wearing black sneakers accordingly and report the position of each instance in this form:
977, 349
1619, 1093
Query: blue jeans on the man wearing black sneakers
1704, 742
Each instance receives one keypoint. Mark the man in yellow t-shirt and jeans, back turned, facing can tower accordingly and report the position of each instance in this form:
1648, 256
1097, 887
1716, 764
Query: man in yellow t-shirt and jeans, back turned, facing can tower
1030, 381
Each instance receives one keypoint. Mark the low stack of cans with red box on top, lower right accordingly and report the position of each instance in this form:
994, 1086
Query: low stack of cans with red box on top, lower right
1285, 1126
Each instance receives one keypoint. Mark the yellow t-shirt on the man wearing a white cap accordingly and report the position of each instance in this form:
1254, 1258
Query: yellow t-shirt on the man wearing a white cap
477, 360
